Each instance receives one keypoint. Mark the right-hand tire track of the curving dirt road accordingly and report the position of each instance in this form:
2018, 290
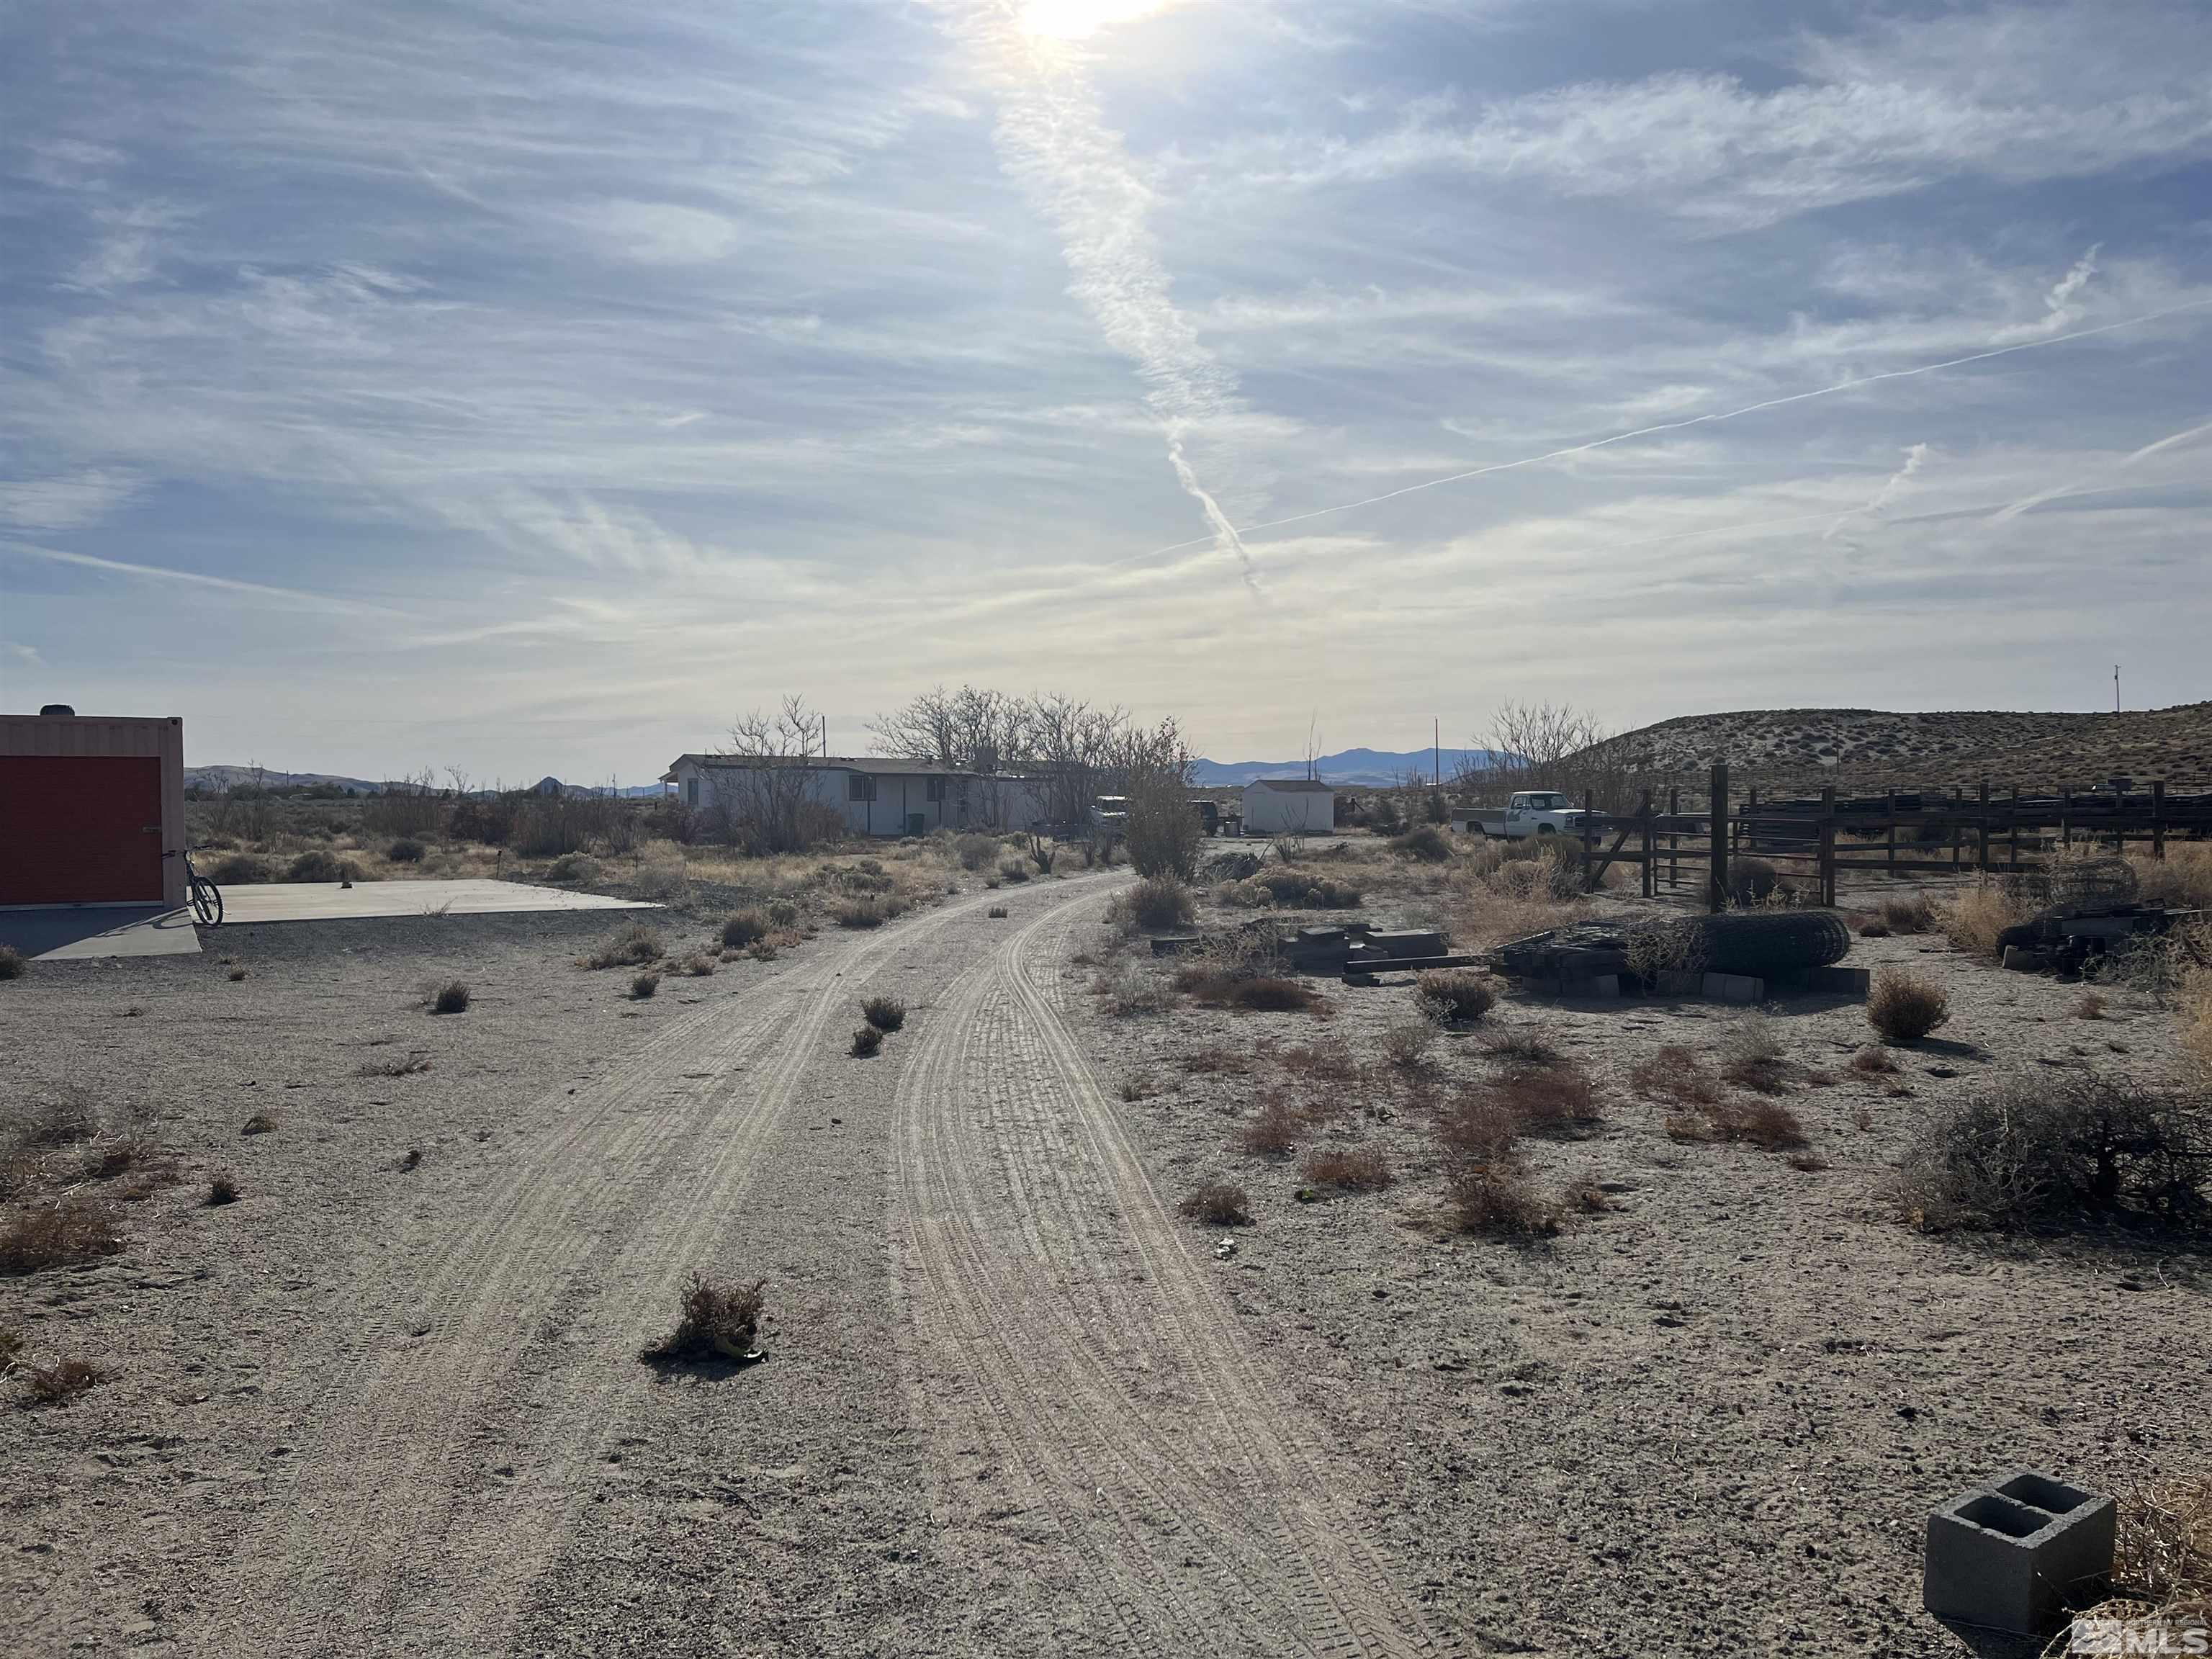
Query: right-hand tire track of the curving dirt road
1074, 1364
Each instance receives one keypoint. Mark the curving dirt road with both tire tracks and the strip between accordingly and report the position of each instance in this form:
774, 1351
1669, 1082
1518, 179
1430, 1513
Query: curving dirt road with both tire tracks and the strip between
1087, 1461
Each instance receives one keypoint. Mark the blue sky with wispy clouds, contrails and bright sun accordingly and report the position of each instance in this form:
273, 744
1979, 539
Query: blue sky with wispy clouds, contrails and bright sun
532, 388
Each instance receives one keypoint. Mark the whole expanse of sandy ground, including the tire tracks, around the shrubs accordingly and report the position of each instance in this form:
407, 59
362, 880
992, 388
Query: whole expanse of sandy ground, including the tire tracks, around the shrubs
1014, 1406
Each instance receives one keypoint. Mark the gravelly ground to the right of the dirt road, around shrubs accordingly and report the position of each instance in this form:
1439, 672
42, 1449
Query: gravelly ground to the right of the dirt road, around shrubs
1715, 1415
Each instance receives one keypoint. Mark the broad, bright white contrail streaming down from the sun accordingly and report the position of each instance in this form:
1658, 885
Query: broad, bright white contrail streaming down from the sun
1078, 174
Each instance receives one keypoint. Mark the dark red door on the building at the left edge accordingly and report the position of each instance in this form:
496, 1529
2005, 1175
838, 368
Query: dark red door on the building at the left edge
81, 828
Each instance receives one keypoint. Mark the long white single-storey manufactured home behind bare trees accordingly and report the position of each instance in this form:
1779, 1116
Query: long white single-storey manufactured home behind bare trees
875, 795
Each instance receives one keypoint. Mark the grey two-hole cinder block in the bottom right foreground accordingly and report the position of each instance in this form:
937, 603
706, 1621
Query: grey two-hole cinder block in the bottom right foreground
2016, 1554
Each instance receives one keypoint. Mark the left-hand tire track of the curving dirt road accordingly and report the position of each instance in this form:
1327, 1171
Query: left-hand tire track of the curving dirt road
399, 1534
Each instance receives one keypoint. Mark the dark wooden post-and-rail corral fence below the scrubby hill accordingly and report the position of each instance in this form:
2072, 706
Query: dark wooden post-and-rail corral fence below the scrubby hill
1903, 833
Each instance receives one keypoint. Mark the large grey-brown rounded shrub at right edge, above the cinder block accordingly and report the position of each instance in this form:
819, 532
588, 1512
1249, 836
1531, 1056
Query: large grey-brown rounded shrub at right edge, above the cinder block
2052, 1149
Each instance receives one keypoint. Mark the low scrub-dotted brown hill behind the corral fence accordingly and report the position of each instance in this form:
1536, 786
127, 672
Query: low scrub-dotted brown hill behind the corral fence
1868, 749
